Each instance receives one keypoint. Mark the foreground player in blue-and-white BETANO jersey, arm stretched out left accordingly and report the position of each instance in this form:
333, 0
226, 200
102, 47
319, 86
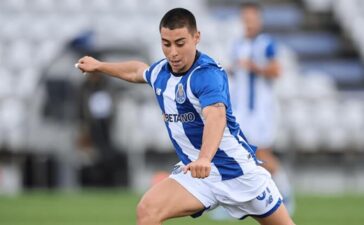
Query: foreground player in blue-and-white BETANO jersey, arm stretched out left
218, 166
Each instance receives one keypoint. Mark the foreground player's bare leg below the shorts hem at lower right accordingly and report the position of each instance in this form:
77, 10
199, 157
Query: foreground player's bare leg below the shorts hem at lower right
279, 217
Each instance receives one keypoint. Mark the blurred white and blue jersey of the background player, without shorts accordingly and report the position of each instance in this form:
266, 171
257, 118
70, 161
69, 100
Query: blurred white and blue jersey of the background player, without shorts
252, 94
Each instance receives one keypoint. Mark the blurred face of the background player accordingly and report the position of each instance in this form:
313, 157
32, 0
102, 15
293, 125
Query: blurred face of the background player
251, 19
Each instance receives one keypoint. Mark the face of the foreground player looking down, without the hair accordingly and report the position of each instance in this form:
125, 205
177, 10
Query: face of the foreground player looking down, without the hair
179, 47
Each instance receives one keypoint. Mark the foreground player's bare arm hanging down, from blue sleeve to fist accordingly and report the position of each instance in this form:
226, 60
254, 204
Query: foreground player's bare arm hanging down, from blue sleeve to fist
215, 123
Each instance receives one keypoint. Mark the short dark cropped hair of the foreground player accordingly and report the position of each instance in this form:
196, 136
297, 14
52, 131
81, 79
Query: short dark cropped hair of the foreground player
179, 18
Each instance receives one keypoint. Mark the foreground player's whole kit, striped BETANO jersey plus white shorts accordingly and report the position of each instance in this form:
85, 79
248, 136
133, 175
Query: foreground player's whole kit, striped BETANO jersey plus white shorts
235, 179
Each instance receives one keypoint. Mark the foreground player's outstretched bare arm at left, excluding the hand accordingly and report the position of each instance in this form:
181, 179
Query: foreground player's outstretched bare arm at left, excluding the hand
131, 71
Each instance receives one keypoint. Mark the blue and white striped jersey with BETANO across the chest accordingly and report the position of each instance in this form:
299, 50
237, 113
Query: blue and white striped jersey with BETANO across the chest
182, 98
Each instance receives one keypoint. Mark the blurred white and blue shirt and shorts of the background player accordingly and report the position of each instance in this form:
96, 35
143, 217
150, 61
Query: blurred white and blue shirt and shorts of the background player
252, 94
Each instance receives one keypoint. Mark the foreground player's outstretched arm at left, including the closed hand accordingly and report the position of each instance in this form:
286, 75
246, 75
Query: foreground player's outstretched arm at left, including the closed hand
131, 71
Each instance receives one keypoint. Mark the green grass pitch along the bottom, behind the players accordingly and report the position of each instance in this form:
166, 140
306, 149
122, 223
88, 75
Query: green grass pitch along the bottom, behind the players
118, 207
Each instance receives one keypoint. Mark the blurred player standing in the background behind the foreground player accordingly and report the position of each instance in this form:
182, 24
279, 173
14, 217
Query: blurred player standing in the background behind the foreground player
255, 68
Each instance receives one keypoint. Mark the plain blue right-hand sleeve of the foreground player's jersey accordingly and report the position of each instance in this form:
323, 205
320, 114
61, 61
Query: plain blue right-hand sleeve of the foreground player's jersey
210, 86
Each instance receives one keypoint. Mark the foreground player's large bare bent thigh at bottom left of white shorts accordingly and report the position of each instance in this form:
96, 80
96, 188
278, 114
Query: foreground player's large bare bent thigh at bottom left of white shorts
167, 199
